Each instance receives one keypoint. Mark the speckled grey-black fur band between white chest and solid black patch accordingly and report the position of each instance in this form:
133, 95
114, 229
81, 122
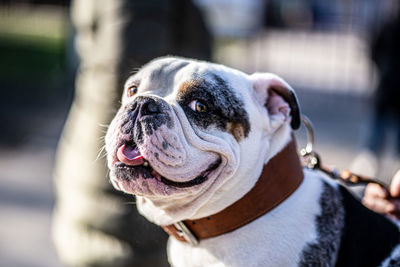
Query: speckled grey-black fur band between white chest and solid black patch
329, 225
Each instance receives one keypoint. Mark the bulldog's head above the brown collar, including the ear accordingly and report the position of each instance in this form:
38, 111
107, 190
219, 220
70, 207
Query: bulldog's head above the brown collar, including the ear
191, 137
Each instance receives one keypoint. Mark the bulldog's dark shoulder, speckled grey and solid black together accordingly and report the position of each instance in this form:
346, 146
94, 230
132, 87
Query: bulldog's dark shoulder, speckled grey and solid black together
349, 234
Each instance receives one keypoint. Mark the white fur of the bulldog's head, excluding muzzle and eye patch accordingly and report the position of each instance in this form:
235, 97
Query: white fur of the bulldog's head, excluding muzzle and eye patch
268, 135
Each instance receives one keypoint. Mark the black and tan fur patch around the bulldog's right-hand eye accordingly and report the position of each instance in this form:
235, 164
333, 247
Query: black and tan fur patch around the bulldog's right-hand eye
223, 106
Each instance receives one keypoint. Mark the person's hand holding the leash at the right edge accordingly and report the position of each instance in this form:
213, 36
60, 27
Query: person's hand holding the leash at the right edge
381, 200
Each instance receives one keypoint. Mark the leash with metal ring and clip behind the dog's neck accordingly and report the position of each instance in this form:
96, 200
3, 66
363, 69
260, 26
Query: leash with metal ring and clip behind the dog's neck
312, 160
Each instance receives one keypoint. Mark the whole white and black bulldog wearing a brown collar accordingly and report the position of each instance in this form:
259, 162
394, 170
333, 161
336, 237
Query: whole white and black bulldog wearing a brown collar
192, 141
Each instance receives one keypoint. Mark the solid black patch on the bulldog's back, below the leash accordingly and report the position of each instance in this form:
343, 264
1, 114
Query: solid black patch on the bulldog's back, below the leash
368, 238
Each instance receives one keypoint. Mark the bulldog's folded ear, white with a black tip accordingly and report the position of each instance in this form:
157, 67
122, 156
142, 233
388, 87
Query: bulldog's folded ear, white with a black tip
277, 96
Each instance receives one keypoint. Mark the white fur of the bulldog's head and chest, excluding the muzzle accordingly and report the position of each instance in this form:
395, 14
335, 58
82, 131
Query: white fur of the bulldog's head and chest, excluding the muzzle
275, 239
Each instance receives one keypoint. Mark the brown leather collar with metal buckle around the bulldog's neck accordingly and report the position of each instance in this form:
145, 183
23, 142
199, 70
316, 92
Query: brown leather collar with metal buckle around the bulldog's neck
281, 176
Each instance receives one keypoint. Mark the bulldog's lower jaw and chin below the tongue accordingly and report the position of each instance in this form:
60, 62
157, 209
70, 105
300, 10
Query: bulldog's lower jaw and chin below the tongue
143, 180
